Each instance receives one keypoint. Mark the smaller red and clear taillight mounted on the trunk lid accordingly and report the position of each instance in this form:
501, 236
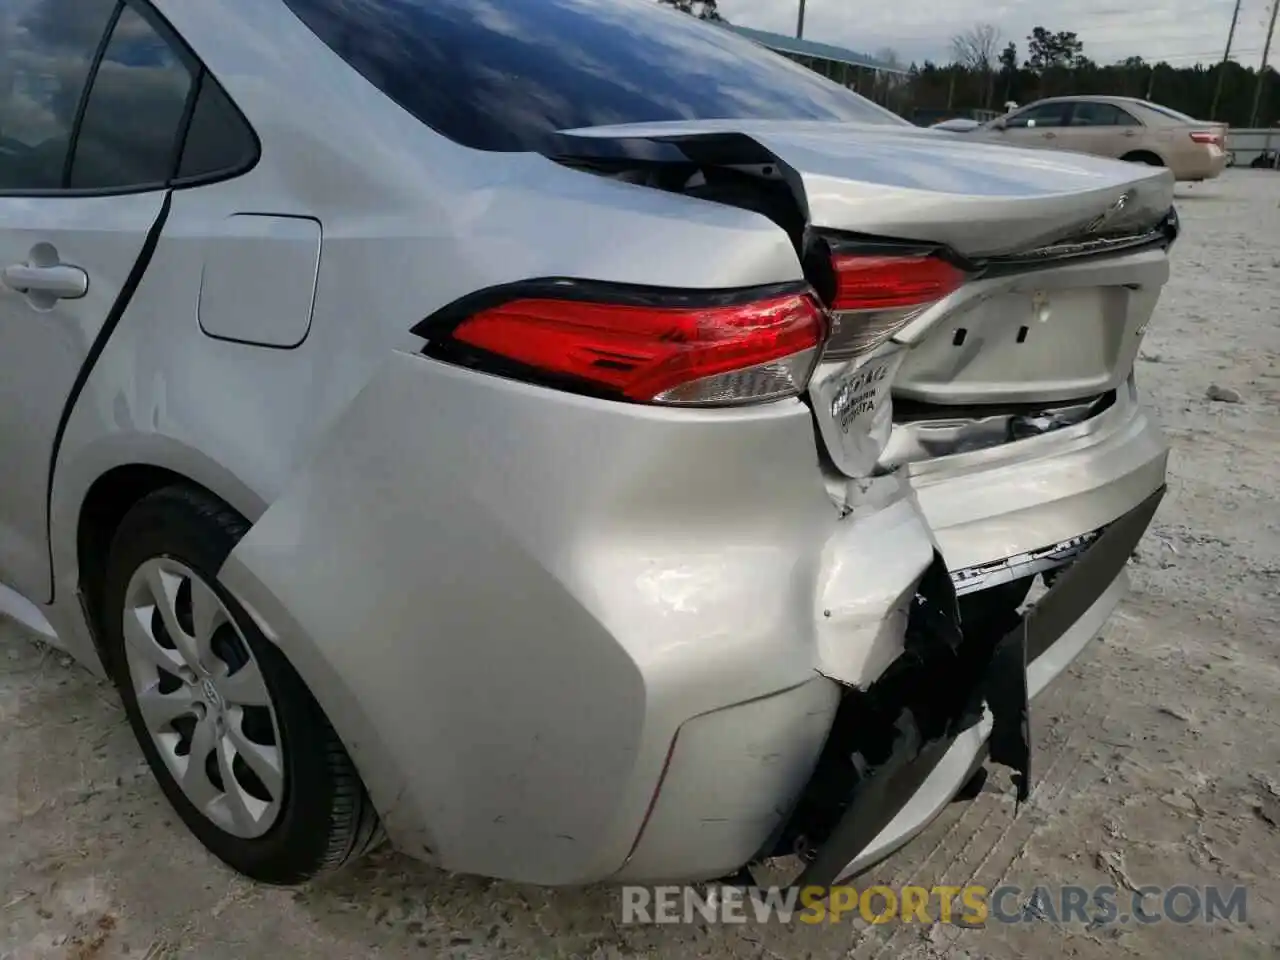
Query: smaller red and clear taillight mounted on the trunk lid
877, 296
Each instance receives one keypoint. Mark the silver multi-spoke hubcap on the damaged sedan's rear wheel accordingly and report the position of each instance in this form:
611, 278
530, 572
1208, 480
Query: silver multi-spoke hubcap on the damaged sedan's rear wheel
203, 698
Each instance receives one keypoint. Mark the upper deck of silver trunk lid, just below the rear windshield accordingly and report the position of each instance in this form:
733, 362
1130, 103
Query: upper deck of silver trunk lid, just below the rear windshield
918, 185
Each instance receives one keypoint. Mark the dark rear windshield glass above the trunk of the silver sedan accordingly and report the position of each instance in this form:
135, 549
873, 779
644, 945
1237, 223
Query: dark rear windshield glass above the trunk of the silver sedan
505, 75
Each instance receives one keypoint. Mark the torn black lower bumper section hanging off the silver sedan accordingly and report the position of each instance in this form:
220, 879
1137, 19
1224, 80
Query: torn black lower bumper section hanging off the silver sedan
889, 739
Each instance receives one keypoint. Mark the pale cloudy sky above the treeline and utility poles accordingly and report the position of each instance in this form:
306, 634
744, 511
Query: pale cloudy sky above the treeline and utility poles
1180, 31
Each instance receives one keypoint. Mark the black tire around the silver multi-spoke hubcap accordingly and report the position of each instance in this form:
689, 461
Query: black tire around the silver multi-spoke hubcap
326, 817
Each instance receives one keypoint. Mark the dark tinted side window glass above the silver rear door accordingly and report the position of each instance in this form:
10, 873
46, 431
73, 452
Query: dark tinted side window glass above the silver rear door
102, 97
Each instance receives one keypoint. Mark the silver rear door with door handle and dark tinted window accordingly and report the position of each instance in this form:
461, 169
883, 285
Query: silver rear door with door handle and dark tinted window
93, 98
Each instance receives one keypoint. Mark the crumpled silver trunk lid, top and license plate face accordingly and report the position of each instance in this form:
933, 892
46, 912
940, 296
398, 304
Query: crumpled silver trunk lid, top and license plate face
1035, 330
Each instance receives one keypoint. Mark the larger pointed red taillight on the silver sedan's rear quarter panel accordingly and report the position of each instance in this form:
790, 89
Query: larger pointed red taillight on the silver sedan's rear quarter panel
723, 354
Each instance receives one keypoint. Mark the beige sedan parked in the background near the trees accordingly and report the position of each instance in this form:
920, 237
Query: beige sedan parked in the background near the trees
1119, 127
